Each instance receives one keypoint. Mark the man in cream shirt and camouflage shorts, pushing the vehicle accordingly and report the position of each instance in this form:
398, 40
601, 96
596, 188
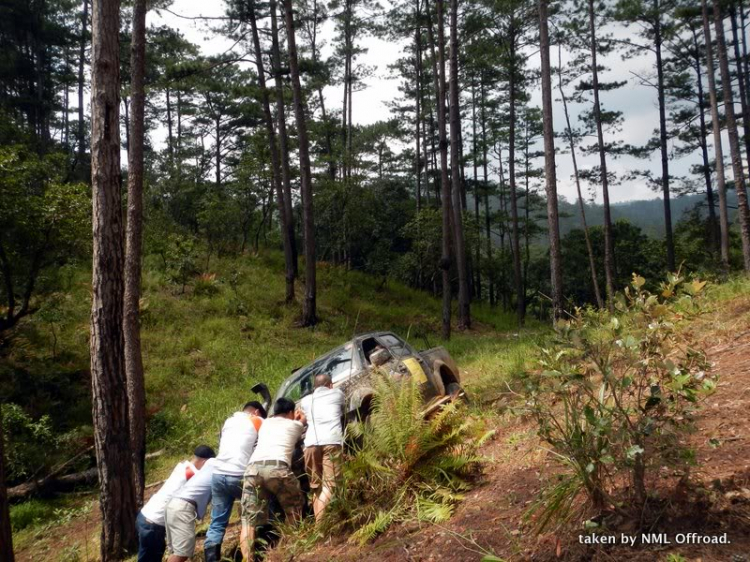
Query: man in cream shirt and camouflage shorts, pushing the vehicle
270, 473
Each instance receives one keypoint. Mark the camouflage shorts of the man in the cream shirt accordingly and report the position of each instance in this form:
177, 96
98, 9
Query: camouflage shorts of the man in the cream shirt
261, 482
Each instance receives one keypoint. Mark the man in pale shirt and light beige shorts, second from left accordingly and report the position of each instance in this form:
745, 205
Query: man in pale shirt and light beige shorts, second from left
187, 506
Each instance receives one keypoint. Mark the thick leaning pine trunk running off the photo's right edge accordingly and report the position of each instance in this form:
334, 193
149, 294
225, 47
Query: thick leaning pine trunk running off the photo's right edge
734, 141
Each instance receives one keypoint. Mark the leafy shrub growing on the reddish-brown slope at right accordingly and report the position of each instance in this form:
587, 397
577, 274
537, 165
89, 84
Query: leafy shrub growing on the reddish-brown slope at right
615, 396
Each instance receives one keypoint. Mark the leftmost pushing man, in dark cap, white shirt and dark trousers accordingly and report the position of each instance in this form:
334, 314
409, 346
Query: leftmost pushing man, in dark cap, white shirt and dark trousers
150, 521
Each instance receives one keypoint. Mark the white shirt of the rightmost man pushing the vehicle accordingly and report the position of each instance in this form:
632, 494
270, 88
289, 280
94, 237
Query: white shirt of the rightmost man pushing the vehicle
324, 410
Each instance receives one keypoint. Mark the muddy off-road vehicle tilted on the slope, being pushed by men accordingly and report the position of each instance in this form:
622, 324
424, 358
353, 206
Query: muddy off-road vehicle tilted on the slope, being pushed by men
352, 365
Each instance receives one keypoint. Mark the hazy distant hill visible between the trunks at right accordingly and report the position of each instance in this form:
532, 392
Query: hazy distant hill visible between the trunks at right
646, 214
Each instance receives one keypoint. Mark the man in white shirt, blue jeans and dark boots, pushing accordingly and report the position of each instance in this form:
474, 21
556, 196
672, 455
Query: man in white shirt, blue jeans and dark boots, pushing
238, 437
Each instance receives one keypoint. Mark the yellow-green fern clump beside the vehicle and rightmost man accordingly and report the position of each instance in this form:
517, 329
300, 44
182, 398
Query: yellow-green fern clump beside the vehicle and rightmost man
404, 465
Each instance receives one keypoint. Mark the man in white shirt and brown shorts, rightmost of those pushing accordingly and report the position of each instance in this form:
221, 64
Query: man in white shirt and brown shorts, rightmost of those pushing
324, 410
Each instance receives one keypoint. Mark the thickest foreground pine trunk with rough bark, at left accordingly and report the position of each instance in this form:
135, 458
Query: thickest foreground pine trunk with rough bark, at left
109, 384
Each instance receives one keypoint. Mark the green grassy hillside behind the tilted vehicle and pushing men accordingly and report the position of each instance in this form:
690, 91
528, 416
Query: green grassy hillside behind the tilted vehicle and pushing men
205, 347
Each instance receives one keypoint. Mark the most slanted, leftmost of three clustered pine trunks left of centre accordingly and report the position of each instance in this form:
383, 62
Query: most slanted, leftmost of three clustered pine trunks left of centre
275, 158
